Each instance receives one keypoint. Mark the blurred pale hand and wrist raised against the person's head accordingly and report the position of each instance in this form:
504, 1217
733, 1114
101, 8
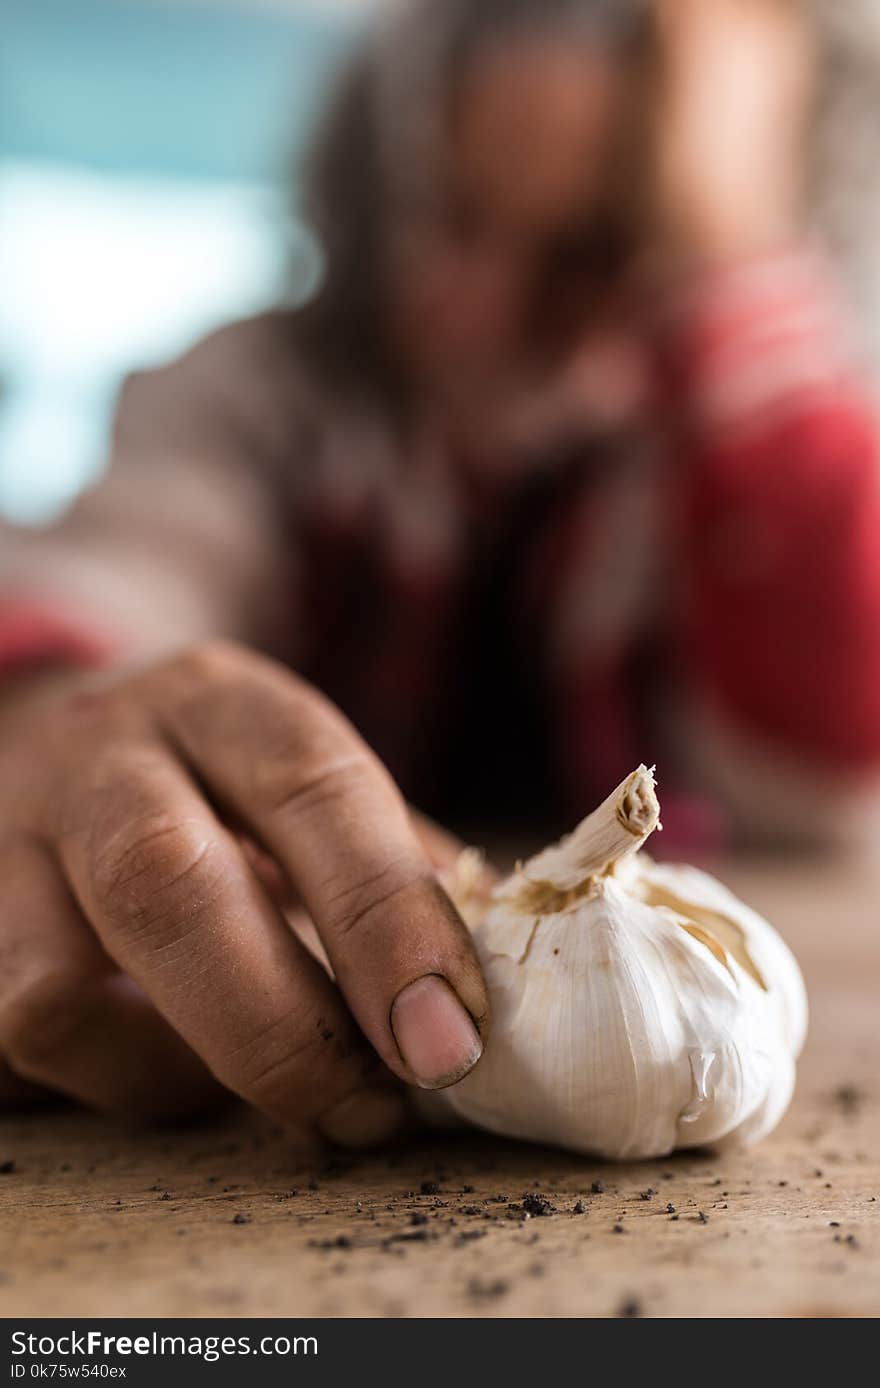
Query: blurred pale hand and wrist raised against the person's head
731, 109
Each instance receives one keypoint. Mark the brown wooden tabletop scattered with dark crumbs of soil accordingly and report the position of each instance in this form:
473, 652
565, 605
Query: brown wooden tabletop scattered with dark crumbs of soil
224, 1221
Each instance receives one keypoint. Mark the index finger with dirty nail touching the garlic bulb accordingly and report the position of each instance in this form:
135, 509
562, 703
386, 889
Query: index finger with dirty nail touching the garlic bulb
292, 767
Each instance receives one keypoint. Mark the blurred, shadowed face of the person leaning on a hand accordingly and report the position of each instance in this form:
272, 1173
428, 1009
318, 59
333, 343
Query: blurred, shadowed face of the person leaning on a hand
523, 255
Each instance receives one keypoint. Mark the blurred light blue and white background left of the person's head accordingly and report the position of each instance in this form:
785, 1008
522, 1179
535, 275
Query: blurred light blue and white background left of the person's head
145, 153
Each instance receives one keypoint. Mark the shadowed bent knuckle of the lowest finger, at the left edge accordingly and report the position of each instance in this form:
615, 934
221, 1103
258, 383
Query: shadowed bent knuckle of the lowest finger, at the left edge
44, 1019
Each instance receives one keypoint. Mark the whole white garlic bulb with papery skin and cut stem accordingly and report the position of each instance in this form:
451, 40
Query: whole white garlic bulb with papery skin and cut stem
636, 1008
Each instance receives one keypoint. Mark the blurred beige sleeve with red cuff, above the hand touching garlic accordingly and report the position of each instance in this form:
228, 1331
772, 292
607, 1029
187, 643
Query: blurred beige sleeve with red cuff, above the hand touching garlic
188, 534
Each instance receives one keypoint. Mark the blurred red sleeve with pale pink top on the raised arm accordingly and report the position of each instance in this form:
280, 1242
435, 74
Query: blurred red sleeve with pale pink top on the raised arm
781, 525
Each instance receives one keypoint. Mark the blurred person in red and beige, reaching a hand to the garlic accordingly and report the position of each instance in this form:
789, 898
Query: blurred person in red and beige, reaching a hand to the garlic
570, 464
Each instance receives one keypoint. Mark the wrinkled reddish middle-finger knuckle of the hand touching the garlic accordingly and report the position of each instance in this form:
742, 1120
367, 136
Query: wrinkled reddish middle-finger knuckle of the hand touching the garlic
158, 871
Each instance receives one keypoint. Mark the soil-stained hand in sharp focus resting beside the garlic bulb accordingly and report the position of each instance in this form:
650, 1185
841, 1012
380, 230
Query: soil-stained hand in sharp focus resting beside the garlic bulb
142, 956
